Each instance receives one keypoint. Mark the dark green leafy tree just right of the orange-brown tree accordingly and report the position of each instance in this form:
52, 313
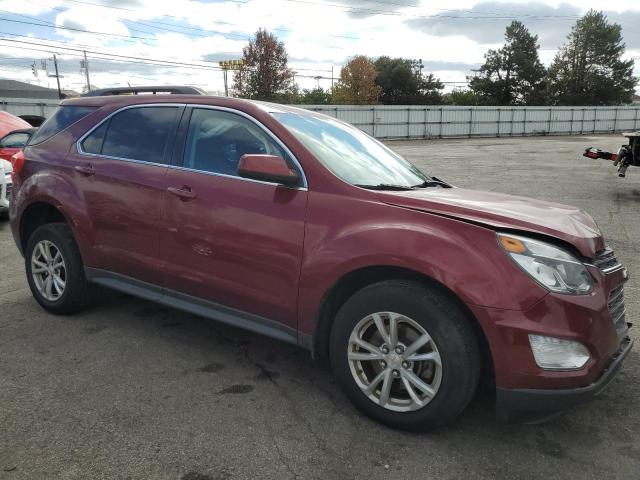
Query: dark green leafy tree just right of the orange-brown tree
402, 84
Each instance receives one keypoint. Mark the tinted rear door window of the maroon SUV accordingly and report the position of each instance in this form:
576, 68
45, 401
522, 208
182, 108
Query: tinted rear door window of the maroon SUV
140, 133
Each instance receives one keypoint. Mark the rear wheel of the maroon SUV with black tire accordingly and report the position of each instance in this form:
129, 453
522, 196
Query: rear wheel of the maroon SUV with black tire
55, 271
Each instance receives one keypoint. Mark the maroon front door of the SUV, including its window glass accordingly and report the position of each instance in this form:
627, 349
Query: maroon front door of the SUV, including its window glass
230, 240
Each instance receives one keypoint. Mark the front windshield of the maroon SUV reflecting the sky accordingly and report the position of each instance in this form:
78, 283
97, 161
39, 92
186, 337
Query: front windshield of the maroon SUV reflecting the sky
351, 154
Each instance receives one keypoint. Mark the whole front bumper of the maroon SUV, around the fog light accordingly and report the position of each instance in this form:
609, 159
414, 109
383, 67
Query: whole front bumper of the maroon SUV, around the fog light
527, 392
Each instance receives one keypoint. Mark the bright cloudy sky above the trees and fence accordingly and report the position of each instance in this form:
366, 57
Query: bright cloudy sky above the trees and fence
156, 42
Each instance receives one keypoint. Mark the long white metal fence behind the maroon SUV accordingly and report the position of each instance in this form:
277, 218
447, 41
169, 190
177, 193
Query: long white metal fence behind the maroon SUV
387, 121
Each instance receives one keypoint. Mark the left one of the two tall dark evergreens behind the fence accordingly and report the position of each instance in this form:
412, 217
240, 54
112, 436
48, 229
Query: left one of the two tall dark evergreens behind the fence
513, 74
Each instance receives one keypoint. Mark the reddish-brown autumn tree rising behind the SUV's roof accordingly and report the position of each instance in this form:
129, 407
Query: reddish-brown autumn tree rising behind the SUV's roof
265, 74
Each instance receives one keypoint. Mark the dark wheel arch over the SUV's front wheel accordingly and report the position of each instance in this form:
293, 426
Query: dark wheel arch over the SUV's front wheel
362, 277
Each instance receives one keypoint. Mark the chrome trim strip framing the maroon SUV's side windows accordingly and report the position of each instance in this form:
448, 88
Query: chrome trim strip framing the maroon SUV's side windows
269, 133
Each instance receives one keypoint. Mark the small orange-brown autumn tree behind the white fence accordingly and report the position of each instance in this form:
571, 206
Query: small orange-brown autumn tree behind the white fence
357, 84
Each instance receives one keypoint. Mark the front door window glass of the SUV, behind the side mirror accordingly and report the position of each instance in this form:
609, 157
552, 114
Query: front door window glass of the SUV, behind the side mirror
216, 140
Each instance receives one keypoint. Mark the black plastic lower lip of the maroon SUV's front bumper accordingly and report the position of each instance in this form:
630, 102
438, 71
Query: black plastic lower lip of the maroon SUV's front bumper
535, 405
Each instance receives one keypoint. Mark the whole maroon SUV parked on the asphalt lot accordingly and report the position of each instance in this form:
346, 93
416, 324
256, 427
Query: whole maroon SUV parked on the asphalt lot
301, 227
